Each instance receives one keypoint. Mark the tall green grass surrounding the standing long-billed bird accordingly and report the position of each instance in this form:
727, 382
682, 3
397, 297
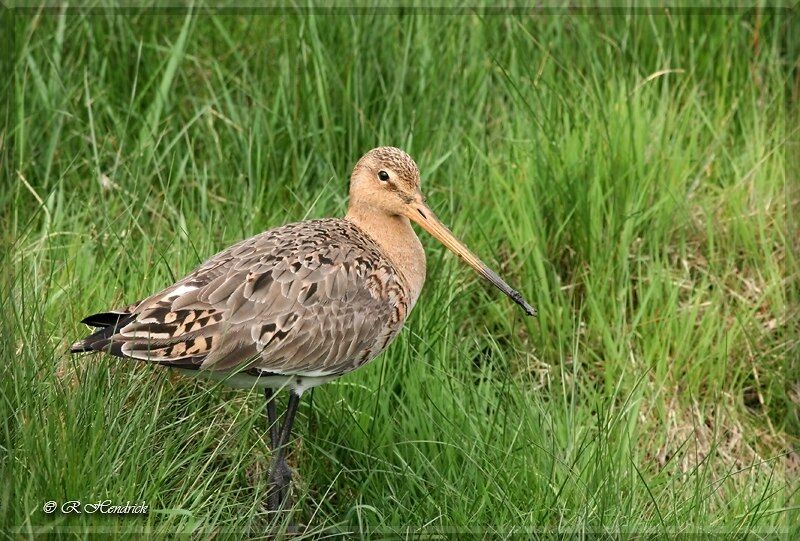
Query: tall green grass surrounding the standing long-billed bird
626, 170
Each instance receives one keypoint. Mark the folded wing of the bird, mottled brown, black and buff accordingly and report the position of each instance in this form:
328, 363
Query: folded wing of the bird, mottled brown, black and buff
312, 298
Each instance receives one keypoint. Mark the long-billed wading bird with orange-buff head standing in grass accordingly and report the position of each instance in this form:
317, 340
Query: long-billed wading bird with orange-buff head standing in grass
298, 305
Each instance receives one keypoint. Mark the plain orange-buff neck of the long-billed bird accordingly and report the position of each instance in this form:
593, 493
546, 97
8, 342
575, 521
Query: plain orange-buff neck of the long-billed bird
396, 238
